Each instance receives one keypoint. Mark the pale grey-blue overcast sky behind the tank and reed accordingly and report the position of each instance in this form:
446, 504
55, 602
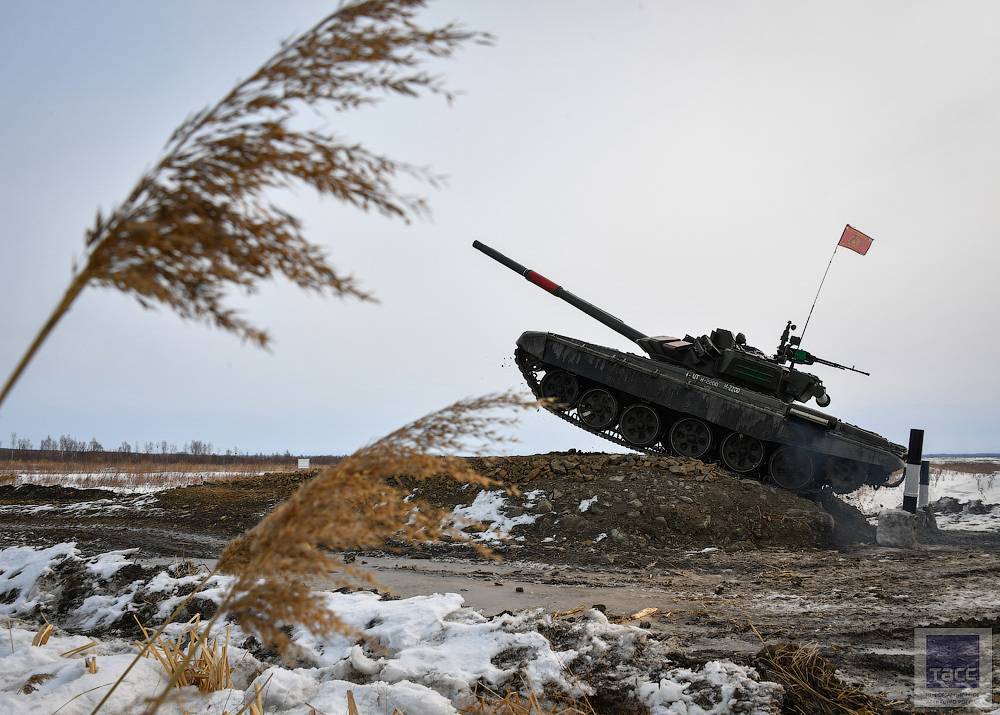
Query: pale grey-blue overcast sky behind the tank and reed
685, 165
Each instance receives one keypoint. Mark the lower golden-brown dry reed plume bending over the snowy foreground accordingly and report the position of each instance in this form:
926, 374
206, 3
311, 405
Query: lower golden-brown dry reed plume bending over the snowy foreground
356, 504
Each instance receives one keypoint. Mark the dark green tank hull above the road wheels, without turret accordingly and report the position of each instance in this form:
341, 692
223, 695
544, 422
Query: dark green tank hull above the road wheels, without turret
675, 392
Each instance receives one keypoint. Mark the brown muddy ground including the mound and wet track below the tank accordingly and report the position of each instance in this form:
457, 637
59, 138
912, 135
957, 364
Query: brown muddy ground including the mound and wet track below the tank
725, 561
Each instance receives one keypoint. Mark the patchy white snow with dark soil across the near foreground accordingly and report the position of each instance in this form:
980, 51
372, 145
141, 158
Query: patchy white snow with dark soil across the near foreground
424, 654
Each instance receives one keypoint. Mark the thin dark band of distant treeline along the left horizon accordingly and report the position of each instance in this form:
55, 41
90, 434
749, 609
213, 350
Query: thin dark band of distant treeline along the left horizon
119, 457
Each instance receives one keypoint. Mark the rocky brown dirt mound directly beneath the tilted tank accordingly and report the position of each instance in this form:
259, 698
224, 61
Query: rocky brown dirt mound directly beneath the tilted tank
622, 508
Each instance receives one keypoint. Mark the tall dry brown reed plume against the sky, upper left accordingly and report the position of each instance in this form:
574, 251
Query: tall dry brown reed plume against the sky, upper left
199, 222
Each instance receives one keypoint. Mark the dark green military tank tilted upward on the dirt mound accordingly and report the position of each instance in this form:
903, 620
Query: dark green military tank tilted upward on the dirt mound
712, 397
